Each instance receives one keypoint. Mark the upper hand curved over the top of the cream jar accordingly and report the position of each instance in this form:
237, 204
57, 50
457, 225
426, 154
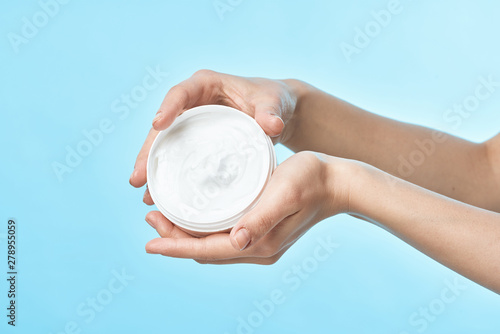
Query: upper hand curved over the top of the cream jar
271, 102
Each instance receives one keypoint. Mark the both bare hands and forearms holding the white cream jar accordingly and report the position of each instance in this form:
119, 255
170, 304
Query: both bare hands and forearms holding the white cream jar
346, 162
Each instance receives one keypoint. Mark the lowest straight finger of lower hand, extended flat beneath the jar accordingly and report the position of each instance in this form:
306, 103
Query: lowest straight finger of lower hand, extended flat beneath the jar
213, 247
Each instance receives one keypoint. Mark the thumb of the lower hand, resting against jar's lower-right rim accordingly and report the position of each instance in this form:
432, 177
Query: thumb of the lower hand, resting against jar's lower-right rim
254, 225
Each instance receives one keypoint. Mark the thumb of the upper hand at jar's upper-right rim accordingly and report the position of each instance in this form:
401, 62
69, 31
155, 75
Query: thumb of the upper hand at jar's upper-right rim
268, 114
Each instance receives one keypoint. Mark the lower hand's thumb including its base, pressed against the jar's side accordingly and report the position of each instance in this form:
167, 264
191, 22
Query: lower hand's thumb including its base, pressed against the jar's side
277, 202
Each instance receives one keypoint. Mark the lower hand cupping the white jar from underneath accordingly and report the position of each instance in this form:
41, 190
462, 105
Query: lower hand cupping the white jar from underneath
305, 189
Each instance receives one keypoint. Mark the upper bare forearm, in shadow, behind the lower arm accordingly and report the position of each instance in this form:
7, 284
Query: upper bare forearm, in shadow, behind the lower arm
442, 163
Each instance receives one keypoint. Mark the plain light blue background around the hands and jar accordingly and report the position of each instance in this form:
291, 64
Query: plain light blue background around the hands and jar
74, 233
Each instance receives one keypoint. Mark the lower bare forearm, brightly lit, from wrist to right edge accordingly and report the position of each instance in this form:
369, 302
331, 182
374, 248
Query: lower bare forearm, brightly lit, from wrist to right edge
460, 236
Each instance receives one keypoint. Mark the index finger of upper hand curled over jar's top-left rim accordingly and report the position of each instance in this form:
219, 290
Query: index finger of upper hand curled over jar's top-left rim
200, 88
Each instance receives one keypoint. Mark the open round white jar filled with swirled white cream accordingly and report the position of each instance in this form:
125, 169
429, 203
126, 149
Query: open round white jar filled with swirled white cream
209, 168
